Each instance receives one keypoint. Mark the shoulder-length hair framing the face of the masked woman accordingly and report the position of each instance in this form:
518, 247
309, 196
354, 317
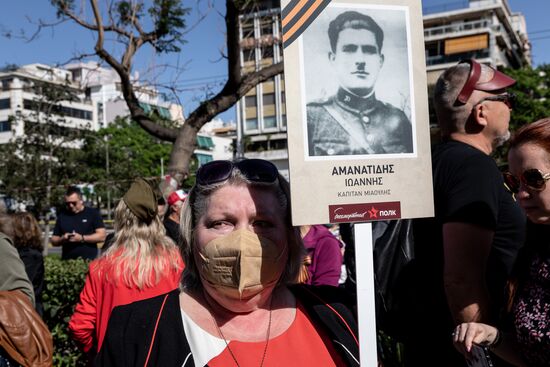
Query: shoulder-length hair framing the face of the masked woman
195, 207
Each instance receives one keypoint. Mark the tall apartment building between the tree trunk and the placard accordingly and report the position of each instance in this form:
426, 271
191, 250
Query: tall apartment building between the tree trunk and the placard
261, 114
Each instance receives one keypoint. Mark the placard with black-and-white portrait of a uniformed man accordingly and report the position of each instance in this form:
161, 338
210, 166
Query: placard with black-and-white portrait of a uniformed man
357, 110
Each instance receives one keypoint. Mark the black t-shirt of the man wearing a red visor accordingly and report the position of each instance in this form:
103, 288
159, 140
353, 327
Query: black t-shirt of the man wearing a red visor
468, 188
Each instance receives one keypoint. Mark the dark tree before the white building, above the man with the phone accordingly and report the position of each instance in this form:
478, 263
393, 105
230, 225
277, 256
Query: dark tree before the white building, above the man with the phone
38, 164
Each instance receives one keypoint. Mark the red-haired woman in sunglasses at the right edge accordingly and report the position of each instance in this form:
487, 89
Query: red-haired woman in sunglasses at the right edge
529, 345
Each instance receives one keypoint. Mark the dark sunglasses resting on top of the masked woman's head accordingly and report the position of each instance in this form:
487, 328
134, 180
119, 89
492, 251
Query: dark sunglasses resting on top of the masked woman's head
256, 170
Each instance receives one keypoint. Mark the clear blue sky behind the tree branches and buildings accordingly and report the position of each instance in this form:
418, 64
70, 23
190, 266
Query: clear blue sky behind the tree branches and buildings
200, 57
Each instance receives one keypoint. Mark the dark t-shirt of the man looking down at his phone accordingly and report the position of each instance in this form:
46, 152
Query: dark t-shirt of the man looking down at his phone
85, 222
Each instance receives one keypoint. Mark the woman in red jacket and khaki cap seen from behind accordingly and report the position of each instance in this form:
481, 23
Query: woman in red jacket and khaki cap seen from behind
142, 262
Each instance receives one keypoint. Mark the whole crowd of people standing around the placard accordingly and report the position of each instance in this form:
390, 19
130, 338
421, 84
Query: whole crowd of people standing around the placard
225, 279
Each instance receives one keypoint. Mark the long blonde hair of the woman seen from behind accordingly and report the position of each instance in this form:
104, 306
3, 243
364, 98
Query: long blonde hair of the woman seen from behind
141, 253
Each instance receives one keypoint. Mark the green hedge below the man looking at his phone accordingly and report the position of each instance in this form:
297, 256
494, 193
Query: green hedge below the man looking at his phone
64, 281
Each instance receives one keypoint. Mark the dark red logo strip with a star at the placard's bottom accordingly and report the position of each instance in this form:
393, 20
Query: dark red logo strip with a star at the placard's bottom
364, 212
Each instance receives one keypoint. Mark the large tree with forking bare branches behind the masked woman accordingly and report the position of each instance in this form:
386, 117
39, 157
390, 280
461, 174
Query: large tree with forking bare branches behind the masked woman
126, 21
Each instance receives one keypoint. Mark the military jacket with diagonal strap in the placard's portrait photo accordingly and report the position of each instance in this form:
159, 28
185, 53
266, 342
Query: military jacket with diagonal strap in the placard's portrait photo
346, 124
